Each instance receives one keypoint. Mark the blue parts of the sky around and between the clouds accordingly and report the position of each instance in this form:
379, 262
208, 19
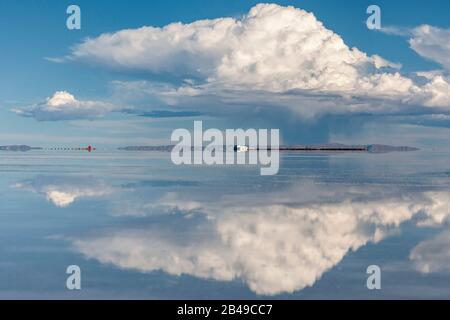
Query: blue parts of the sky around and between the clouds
30, 31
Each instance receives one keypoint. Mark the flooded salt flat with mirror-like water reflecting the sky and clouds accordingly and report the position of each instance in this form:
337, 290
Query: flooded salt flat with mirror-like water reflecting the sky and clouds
140, 227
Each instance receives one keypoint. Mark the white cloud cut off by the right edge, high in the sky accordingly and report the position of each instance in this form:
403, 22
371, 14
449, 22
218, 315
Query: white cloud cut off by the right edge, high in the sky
432, 43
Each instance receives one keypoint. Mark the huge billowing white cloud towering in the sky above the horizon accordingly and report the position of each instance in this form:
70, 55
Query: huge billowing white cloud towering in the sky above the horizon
272, 51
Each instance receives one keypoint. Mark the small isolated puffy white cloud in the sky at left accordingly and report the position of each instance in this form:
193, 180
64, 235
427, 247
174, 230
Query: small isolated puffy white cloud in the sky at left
64, 106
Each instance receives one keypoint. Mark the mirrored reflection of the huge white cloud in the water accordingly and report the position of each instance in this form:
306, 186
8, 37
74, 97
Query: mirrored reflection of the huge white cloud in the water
272, 247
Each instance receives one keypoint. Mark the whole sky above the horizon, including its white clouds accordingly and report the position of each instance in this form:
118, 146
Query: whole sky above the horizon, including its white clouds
137, 70
